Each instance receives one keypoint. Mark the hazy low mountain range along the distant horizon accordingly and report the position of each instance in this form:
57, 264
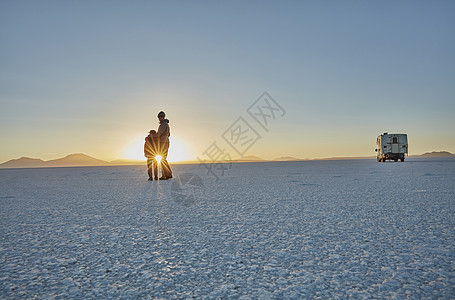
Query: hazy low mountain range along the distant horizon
82, 160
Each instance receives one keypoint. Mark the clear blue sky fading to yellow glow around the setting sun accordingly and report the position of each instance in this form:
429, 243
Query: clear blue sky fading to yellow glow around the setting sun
90, 76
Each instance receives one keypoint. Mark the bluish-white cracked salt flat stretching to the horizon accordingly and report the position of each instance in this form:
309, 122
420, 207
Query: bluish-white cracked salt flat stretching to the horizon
327, 229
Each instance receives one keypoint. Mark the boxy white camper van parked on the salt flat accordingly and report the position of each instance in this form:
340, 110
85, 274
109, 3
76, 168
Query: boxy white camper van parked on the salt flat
392, 146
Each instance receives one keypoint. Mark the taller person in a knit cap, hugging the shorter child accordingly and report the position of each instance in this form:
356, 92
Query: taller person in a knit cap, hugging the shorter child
163, 134
